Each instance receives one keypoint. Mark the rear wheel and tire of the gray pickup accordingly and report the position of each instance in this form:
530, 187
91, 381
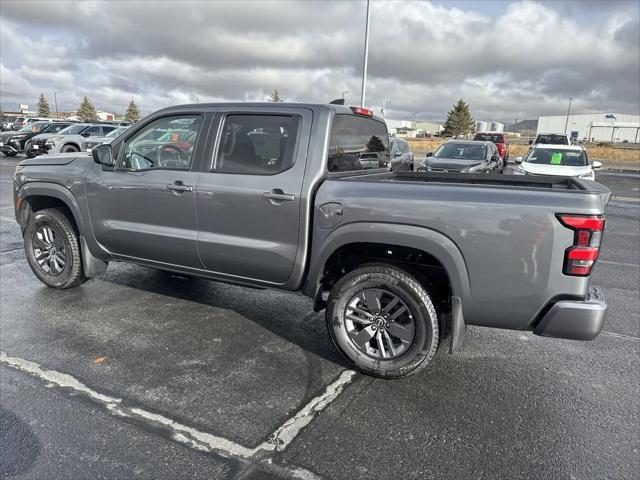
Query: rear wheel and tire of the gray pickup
417, 323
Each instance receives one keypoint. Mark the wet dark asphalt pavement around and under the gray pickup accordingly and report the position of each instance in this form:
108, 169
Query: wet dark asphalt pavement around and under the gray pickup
144, 374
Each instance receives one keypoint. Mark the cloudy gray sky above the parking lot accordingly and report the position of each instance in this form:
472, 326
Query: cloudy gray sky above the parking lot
507, 59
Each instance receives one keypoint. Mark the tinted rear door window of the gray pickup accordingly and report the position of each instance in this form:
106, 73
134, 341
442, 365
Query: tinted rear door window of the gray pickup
257, 144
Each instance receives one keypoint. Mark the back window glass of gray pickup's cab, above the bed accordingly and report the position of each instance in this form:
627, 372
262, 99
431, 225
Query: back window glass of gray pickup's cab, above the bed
354, 138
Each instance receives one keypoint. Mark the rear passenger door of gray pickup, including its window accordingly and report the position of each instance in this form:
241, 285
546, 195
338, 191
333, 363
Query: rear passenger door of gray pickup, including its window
248, 199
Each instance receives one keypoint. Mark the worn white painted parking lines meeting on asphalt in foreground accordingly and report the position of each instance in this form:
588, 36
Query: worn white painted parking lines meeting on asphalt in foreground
189, 436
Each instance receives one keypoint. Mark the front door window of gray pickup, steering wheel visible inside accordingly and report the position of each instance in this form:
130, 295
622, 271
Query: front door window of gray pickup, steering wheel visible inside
166, 143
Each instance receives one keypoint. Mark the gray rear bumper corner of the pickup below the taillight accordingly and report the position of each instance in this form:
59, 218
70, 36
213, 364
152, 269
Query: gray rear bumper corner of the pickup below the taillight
575, 320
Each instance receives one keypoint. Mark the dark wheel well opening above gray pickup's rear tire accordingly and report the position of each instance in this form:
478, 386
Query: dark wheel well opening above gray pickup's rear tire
428, 270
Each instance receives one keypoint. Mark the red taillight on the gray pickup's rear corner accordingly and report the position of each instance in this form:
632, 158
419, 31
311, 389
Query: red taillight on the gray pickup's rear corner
582, 255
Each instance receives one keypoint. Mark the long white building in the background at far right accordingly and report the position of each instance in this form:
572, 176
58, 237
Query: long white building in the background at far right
594, 127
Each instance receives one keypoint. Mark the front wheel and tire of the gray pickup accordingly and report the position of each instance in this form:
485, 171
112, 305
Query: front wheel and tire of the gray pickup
52, 227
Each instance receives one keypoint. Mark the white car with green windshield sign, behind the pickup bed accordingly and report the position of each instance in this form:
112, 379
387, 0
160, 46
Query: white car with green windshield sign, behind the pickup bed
563, 160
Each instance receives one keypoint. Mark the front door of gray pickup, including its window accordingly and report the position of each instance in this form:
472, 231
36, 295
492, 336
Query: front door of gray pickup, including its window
145, 207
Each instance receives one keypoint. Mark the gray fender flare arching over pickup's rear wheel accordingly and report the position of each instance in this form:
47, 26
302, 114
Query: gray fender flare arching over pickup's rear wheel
429, 241
